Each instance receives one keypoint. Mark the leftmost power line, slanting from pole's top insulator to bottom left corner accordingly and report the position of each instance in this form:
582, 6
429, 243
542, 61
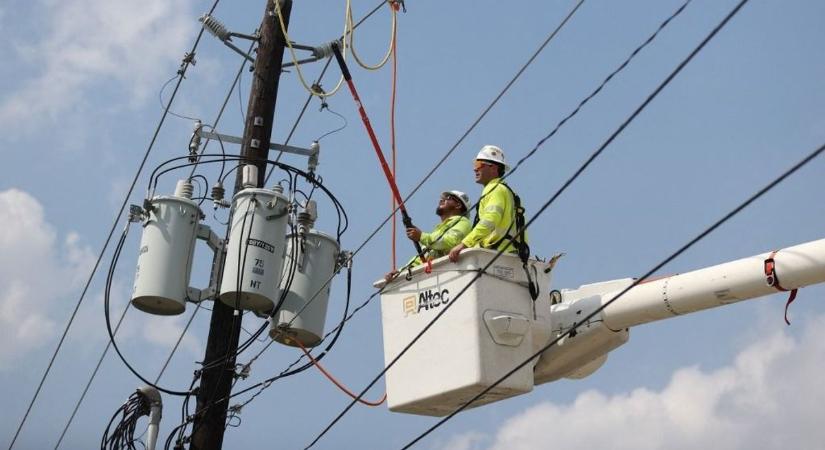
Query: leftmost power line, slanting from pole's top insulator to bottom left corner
181, 76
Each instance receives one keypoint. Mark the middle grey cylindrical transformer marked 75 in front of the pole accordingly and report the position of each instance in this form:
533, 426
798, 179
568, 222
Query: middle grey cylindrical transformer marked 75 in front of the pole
255, 254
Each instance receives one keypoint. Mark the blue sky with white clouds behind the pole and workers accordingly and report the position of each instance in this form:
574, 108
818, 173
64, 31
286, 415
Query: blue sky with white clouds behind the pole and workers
79, 102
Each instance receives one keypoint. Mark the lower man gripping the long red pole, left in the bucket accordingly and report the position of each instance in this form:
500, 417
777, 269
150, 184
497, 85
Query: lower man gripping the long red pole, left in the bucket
452, 208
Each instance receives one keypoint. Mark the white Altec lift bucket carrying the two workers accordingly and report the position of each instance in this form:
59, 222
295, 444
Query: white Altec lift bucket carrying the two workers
483, 334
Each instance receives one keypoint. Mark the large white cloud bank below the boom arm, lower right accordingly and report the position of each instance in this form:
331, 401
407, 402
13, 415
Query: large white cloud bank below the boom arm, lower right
770, 397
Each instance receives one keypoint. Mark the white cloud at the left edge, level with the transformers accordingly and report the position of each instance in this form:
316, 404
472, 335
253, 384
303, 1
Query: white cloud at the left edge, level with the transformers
34, 272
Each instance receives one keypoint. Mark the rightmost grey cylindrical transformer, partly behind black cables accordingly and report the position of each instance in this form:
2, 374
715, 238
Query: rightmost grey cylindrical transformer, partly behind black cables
311, 258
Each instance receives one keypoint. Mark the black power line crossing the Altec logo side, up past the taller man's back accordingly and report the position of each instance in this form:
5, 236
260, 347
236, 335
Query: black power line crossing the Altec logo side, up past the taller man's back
550, 201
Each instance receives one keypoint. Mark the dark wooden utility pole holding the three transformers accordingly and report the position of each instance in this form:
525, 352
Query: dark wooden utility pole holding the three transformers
225, 326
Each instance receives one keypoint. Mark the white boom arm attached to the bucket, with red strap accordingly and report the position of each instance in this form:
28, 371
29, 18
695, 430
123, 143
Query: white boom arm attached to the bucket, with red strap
586, 349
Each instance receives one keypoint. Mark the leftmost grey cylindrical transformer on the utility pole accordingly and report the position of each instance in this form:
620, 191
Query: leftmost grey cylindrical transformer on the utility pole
165, 260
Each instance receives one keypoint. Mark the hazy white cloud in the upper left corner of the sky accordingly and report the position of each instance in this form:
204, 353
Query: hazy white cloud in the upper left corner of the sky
86, 42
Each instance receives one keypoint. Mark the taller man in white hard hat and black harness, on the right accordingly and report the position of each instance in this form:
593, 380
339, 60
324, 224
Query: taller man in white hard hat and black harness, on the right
499, 210
